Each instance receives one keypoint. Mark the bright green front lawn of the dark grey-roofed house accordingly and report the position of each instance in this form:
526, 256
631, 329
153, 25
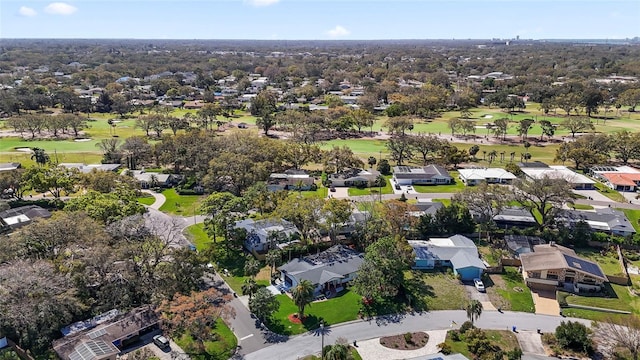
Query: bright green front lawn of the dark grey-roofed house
332, 311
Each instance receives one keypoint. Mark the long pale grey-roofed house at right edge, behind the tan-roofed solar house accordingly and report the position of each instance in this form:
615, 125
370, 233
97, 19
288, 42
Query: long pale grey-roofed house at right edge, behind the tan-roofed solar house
606, 220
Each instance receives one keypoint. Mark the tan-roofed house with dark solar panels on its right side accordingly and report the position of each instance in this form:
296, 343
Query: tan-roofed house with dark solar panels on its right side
552, 266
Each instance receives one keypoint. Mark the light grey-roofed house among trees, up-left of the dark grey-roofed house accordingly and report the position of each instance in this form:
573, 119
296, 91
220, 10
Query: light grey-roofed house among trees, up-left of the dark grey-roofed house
266, 234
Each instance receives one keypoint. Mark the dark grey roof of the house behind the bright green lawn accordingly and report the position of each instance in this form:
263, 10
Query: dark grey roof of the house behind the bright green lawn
335, 262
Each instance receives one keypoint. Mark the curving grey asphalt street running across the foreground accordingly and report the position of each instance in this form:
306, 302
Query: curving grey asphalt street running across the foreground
309, 343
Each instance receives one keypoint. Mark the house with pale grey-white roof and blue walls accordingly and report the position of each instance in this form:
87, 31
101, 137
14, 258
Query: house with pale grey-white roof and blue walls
456, 252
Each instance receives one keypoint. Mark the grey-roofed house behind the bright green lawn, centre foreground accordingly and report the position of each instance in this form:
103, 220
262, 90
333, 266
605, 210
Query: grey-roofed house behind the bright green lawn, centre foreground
328, 271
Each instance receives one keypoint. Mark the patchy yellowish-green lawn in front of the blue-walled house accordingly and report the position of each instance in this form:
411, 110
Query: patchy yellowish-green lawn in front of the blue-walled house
436, 290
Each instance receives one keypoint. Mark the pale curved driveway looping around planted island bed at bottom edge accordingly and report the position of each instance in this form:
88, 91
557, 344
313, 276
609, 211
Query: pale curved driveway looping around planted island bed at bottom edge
372, 350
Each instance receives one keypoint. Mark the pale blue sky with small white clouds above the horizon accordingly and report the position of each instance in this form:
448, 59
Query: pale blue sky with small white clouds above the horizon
320, 19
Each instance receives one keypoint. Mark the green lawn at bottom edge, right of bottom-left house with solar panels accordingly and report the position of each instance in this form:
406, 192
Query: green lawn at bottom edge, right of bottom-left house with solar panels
220, 349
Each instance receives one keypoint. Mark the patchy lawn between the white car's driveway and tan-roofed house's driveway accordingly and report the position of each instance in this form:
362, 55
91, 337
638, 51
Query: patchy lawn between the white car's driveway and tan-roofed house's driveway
509, 291
